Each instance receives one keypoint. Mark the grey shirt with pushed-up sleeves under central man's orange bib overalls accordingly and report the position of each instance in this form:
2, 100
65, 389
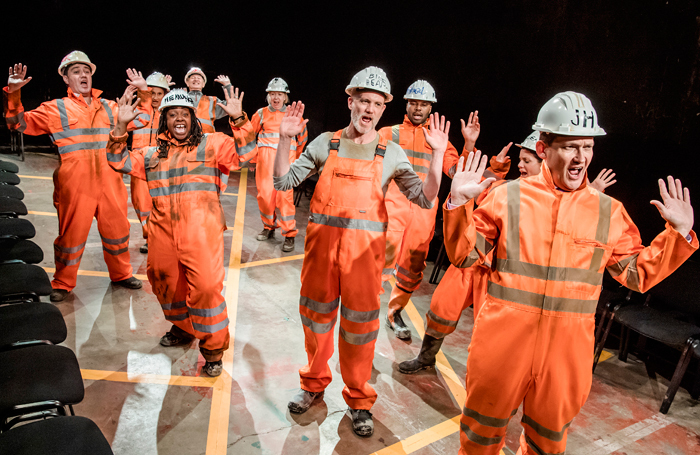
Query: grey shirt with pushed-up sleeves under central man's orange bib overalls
395, 166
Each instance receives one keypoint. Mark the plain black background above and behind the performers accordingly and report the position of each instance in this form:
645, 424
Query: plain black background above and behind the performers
638, 61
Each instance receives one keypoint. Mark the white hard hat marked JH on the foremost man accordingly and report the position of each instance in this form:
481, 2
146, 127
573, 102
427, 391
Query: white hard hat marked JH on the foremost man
569, 114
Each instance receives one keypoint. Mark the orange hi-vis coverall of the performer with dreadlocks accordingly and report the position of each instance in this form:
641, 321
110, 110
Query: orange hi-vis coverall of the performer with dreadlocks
186, 227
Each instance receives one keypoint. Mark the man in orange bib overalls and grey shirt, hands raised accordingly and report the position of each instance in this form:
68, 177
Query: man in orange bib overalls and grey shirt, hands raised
346, 236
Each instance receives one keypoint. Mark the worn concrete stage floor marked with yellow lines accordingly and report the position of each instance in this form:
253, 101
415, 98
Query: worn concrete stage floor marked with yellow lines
148, 399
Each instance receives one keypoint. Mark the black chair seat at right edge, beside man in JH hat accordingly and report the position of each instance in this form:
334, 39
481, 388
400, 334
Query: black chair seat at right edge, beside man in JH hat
666, 327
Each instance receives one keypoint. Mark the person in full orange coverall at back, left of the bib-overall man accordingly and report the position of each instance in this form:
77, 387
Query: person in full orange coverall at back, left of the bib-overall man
258, 138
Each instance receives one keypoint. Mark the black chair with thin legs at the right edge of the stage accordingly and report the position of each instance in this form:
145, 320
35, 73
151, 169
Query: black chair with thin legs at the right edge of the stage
669, 314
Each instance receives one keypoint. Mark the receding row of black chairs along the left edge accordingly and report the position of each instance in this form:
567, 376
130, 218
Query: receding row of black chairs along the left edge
43, 380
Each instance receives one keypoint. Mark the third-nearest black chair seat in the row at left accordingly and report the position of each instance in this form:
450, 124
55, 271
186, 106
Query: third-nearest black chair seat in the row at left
31, 321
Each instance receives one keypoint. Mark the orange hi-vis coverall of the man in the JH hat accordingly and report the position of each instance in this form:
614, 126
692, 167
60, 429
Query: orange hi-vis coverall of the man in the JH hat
551, 248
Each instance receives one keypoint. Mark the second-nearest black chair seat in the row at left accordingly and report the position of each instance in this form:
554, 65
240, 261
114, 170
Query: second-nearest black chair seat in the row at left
39, 373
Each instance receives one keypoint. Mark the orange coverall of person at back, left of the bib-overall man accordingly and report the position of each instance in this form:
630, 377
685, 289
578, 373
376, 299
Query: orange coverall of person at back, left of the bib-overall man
258, 137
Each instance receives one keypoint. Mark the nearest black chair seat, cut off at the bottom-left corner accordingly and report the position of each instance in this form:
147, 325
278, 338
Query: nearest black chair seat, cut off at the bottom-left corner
57, 436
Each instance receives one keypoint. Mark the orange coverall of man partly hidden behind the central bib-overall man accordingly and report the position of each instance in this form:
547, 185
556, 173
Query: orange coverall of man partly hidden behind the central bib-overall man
411, 228
